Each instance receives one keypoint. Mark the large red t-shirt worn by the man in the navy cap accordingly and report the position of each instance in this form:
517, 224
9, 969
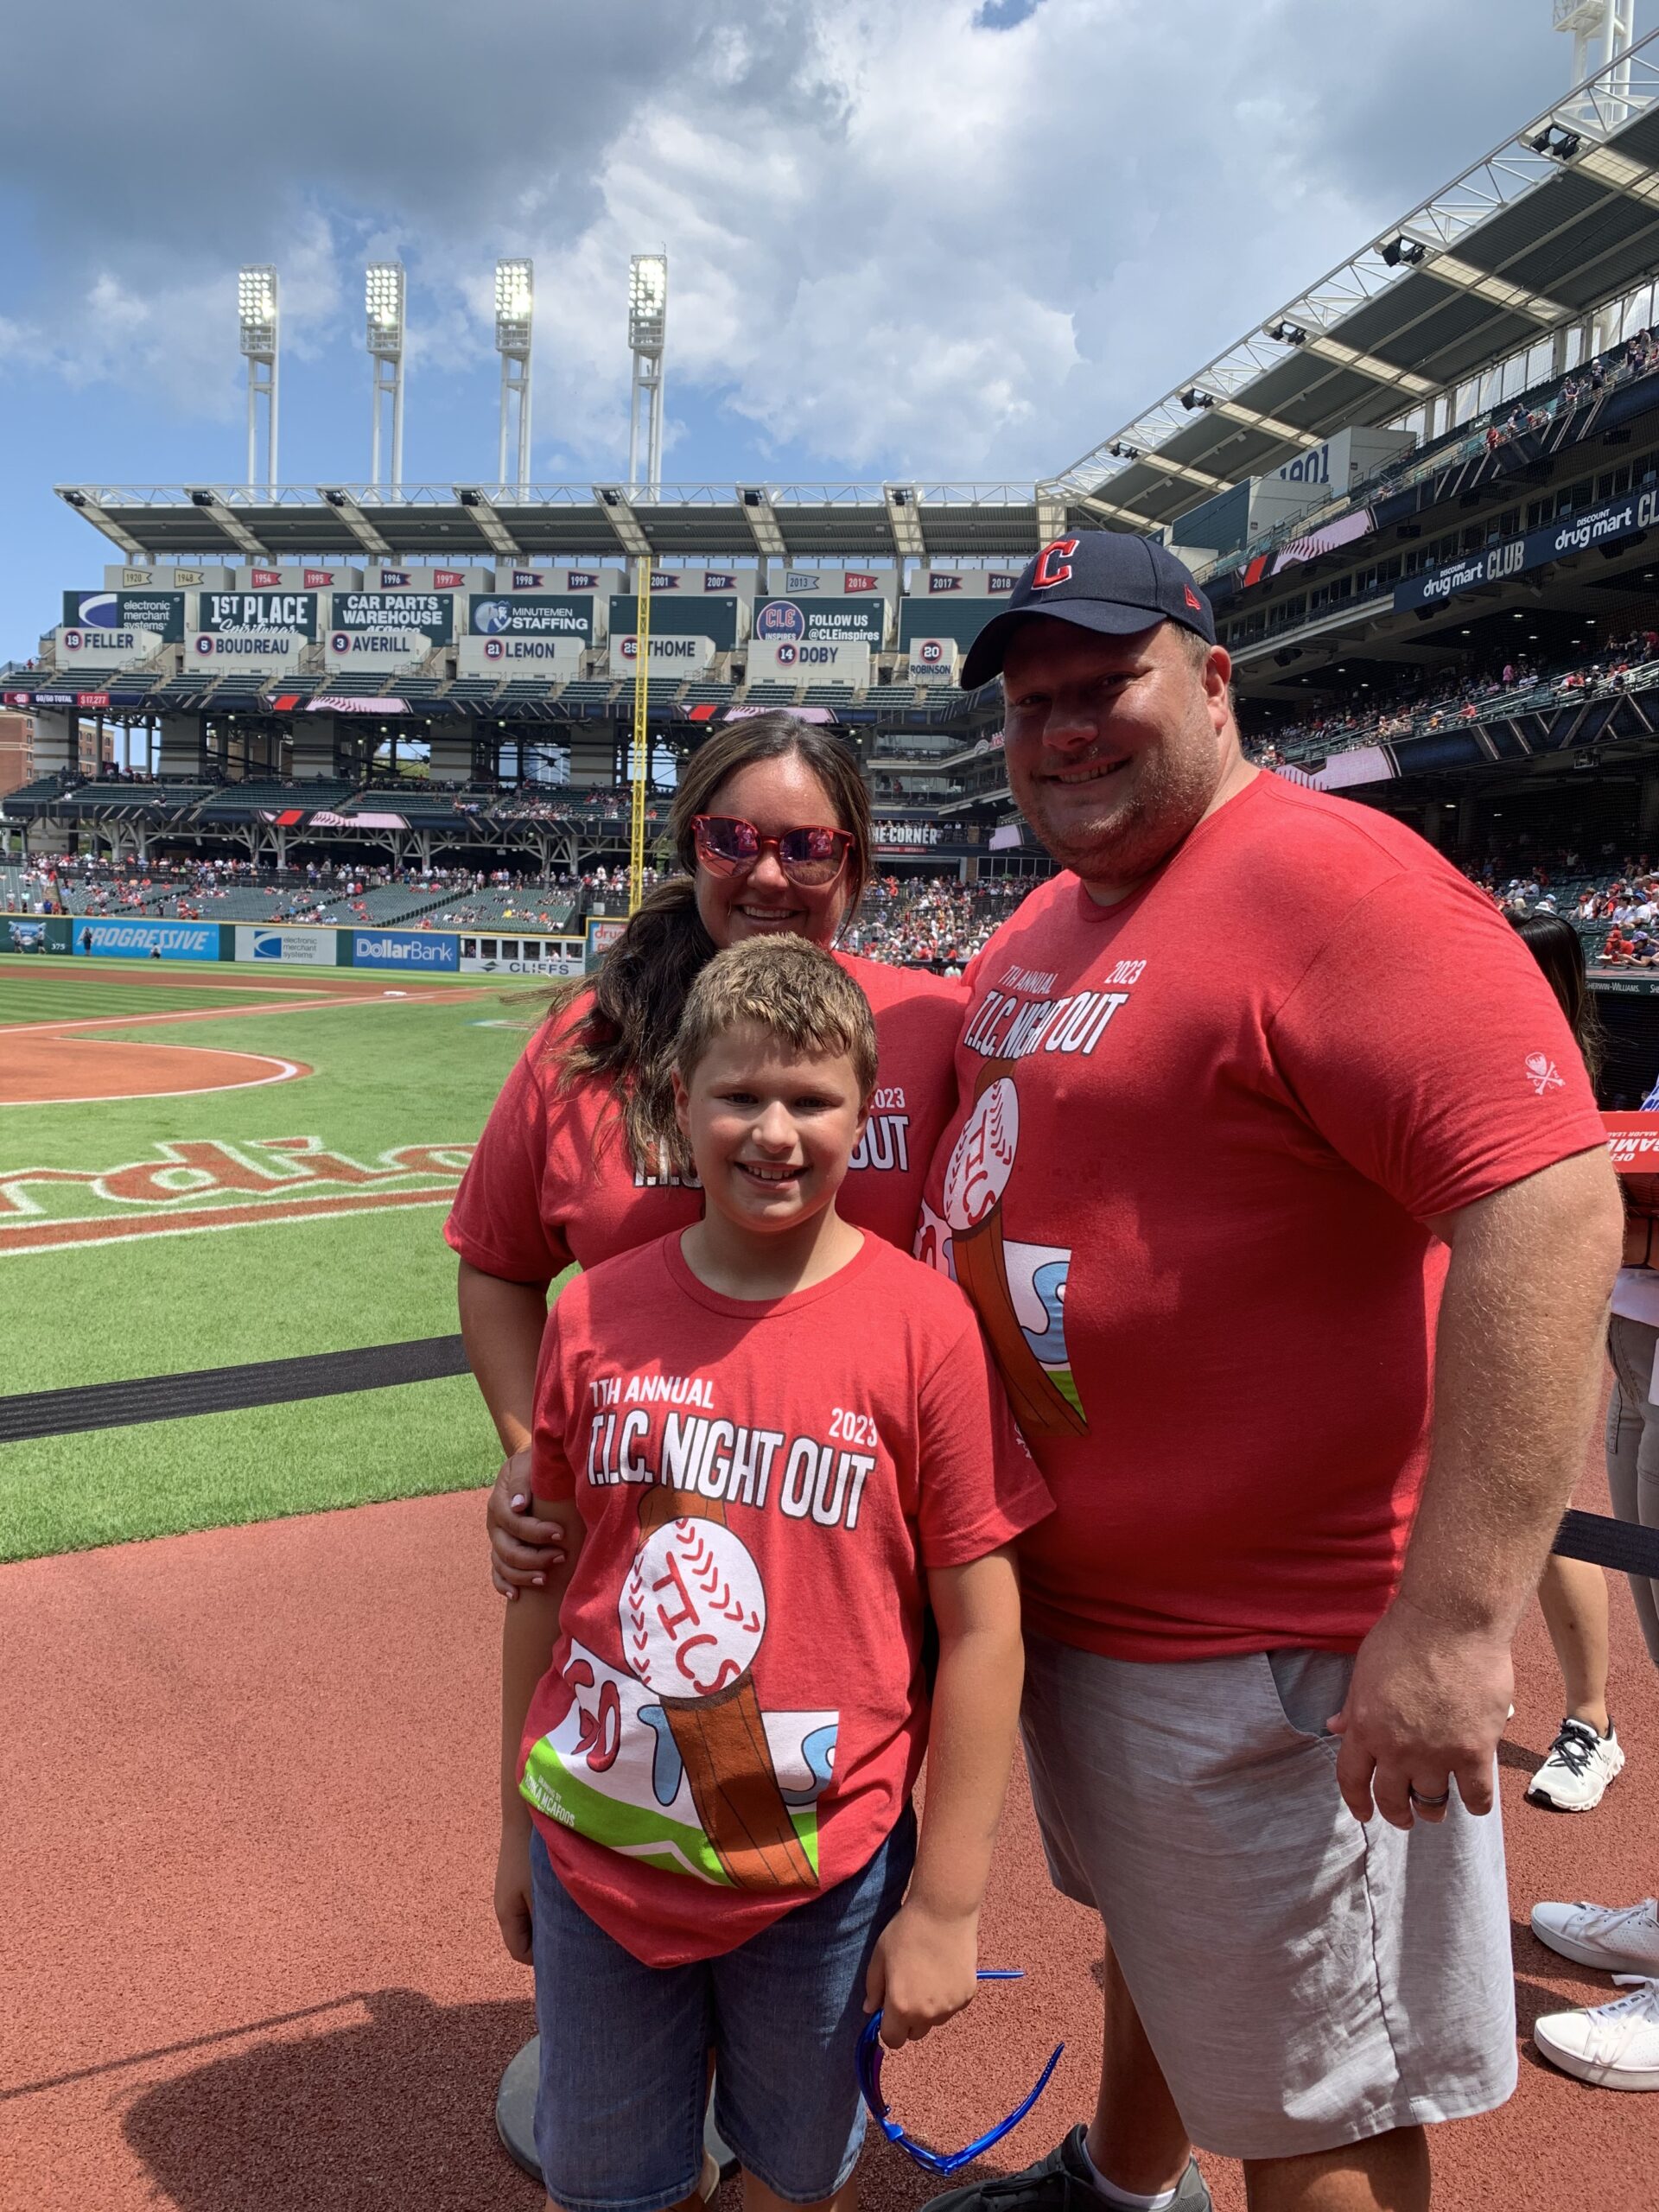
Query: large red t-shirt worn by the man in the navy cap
1187, 1185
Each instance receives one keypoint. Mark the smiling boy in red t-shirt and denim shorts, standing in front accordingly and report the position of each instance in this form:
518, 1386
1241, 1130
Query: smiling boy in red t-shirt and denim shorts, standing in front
771, 1446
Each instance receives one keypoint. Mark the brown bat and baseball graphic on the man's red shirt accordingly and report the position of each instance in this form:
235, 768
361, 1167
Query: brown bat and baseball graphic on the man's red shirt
974, 1187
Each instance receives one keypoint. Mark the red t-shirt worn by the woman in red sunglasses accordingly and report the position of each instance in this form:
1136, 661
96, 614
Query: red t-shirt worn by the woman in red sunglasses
554, 1182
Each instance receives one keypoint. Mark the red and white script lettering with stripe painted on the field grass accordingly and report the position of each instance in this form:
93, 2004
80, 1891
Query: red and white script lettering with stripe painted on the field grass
218, 1185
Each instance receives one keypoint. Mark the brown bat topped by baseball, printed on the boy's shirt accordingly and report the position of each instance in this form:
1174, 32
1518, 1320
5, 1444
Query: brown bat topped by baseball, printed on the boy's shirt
693, 1616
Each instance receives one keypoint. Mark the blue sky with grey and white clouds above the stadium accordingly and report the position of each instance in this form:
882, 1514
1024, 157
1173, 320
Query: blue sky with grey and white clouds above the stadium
908, 238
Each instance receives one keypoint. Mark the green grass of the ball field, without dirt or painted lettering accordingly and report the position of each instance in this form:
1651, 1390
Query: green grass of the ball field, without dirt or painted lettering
388, 1076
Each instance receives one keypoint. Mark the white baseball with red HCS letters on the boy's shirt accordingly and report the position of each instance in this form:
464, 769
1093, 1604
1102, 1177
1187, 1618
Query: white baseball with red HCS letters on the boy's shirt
693, 1609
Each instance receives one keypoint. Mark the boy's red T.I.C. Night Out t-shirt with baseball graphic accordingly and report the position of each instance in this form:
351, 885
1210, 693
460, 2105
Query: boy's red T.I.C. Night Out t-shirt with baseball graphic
735, 1709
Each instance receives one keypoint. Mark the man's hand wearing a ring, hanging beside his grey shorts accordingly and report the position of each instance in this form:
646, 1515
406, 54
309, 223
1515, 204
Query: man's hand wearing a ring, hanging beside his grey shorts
1426, 1711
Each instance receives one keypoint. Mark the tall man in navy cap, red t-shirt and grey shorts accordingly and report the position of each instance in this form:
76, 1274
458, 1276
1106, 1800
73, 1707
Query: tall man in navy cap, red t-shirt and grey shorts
1280, 1189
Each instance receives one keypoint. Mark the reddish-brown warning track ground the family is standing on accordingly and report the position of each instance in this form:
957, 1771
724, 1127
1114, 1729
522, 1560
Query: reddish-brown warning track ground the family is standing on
286, 1784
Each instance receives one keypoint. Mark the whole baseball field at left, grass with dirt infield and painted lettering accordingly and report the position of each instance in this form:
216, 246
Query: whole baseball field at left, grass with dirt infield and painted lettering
205, 1169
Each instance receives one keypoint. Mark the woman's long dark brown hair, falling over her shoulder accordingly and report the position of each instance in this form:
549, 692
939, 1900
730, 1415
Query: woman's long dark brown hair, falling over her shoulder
627, 1036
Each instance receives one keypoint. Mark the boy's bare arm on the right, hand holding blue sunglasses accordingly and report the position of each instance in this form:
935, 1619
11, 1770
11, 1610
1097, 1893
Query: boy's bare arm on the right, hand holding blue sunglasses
924, 1965
